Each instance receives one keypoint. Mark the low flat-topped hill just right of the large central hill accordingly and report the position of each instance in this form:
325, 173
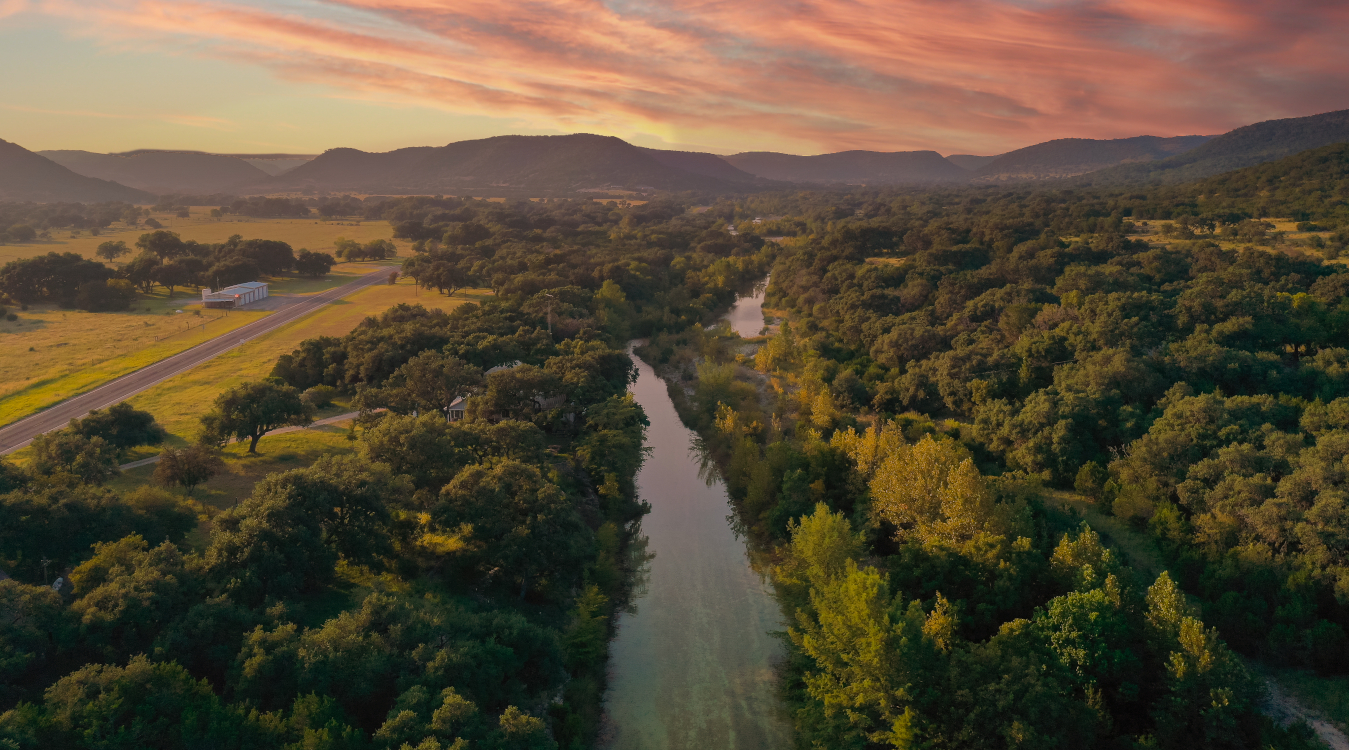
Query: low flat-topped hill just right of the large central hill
852, 168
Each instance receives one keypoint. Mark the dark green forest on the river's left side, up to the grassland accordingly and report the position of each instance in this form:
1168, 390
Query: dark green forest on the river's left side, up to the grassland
451, 585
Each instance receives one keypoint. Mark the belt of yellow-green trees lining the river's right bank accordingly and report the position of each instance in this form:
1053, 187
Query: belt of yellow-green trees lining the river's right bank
937, 605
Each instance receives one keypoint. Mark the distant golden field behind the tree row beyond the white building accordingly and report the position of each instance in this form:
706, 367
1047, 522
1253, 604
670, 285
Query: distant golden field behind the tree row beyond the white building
299, 233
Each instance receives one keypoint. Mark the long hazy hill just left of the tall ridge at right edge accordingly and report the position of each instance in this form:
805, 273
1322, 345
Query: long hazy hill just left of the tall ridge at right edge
1070, 157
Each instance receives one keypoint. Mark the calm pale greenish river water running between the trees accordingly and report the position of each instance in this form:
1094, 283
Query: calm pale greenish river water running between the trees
693, 664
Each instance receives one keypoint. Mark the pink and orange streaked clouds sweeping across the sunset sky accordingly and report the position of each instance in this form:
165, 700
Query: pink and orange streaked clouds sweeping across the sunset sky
973, 76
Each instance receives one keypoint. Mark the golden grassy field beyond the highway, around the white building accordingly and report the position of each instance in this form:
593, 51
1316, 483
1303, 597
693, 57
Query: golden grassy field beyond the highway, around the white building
49, 354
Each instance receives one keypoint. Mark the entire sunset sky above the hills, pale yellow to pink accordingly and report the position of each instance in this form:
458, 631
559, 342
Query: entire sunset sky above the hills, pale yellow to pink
722, 76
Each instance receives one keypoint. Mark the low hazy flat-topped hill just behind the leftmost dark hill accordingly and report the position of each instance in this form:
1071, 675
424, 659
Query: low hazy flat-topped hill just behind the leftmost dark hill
164, 172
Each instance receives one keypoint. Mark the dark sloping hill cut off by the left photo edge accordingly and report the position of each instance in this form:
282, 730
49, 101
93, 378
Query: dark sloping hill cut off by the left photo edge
30, 177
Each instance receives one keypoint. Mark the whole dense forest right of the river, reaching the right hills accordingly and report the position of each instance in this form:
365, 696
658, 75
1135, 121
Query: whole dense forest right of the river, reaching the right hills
948, 362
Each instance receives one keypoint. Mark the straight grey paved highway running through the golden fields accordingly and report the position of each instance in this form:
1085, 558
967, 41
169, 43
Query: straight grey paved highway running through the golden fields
21, 434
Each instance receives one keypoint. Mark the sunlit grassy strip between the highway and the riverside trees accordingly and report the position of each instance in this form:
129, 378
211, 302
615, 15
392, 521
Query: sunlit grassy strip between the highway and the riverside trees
181, 401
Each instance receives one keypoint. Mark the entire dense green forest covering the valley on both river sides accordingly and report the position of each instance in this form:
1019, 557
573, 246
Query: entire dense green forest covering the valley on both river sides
949, 365
